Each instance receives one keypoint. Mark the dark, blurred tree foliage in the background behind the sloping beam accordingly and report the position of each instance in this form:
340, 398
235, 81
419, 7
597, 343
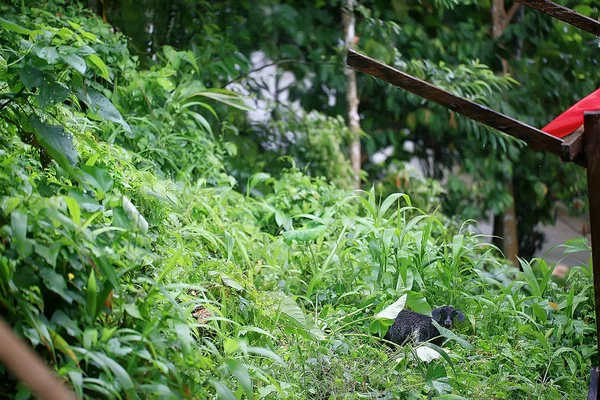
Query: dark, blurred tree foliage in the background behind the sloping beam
546, 64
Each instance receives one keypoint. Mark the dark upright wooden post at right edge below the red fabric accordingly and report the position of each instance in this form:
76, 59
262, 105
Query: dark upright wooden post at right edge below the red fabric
591, 143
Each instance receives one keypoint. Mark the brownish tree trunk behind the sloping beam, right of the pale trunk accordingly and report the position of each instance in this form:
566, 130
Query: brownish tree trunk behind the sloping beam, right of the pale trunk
505, 225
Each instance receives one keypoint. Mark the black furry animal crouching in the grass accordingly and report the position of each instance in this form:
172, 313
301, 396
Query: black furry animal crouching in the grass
412, 326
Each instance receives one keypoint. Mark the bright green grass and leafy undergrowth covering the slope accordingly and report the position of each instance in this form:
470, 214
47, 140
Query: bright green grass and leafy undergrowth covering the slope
140, 262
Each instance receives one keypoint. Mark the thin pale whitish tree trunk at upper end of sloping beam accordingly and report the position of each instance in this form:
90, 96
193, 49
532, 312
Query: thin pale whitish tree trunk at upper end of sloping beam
351, 92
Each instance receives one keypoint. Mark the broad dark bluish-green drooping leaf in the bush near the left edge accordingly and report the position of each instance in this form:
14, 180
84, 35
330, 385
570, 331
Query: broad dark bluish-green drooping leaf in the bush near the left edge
58, 144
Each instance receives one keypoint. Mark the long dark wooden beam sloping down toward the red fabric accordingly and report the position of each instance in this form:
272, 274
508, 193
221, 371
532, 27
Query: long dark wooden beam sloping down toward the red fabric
532, 136
